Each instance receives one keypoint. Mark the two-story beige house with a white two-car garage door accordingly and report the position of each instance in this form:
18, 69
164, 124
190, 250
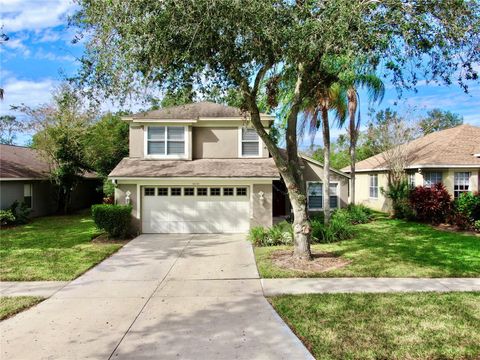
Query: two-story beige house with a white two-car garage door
200, 168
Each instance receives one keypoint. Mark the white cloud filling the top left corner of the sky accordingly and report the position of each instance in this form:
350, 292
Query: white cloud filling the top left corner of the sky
19, 15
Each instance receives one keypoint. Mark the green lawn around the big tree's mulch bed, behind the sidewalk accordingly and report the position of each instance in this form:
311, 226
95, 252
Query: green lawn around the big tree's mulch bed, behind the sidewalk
392, 248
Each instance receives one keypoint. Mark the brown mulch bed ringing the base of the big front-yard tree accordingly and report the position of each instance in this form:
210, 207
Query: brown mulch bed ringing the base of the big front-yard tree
322, 261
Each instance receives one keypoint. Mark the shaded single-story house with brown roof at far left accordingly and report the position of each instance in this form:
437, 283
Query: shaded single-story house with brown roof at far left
24, 177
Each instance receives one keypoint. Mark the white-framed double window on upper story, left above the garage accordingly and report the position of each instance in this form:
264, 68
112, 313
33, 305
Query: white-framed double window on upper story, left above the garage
168, 141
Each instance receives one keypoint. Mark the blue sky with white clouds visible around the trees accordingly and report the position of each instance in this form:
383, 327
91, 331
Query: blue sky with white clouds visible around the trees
40, 51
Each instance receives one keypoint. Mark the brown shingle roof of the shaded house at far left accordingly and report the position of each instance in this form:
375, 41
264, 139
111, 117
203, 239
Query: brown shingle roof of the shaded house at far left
18, 162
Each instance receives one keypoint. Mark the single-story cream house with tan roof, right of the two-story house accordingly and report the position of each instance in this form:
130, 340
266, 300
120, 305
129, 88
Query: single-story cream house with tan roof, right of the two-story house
450, 156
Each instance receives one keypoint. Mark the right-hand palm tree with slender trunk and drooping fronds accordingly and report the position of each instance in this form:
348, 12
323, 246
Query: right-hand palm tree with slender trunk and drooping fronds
376, 91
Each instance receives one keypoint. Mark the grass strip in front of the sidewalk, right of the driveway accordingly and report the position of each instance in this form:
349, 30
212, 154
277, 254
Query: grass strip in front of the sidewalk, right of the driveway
385, 326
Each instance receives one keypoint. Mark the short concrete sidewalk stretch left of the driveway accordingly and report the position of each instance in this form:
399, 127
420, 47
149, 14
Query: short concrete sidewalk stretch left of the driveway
31, 288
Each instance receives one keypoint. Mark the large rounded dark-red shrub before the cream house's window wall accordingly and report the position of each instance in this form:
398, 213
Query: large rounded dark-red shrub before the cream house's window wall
431, 204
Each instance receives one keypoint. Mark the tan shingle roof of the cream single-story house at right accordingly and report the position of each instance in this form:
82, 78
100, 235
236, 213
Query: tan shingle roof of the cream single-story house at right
451, 147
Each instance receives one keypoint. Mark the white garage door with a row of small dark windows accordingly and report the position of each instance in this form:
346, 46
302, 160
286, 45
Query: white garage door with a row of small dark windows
182, 209
